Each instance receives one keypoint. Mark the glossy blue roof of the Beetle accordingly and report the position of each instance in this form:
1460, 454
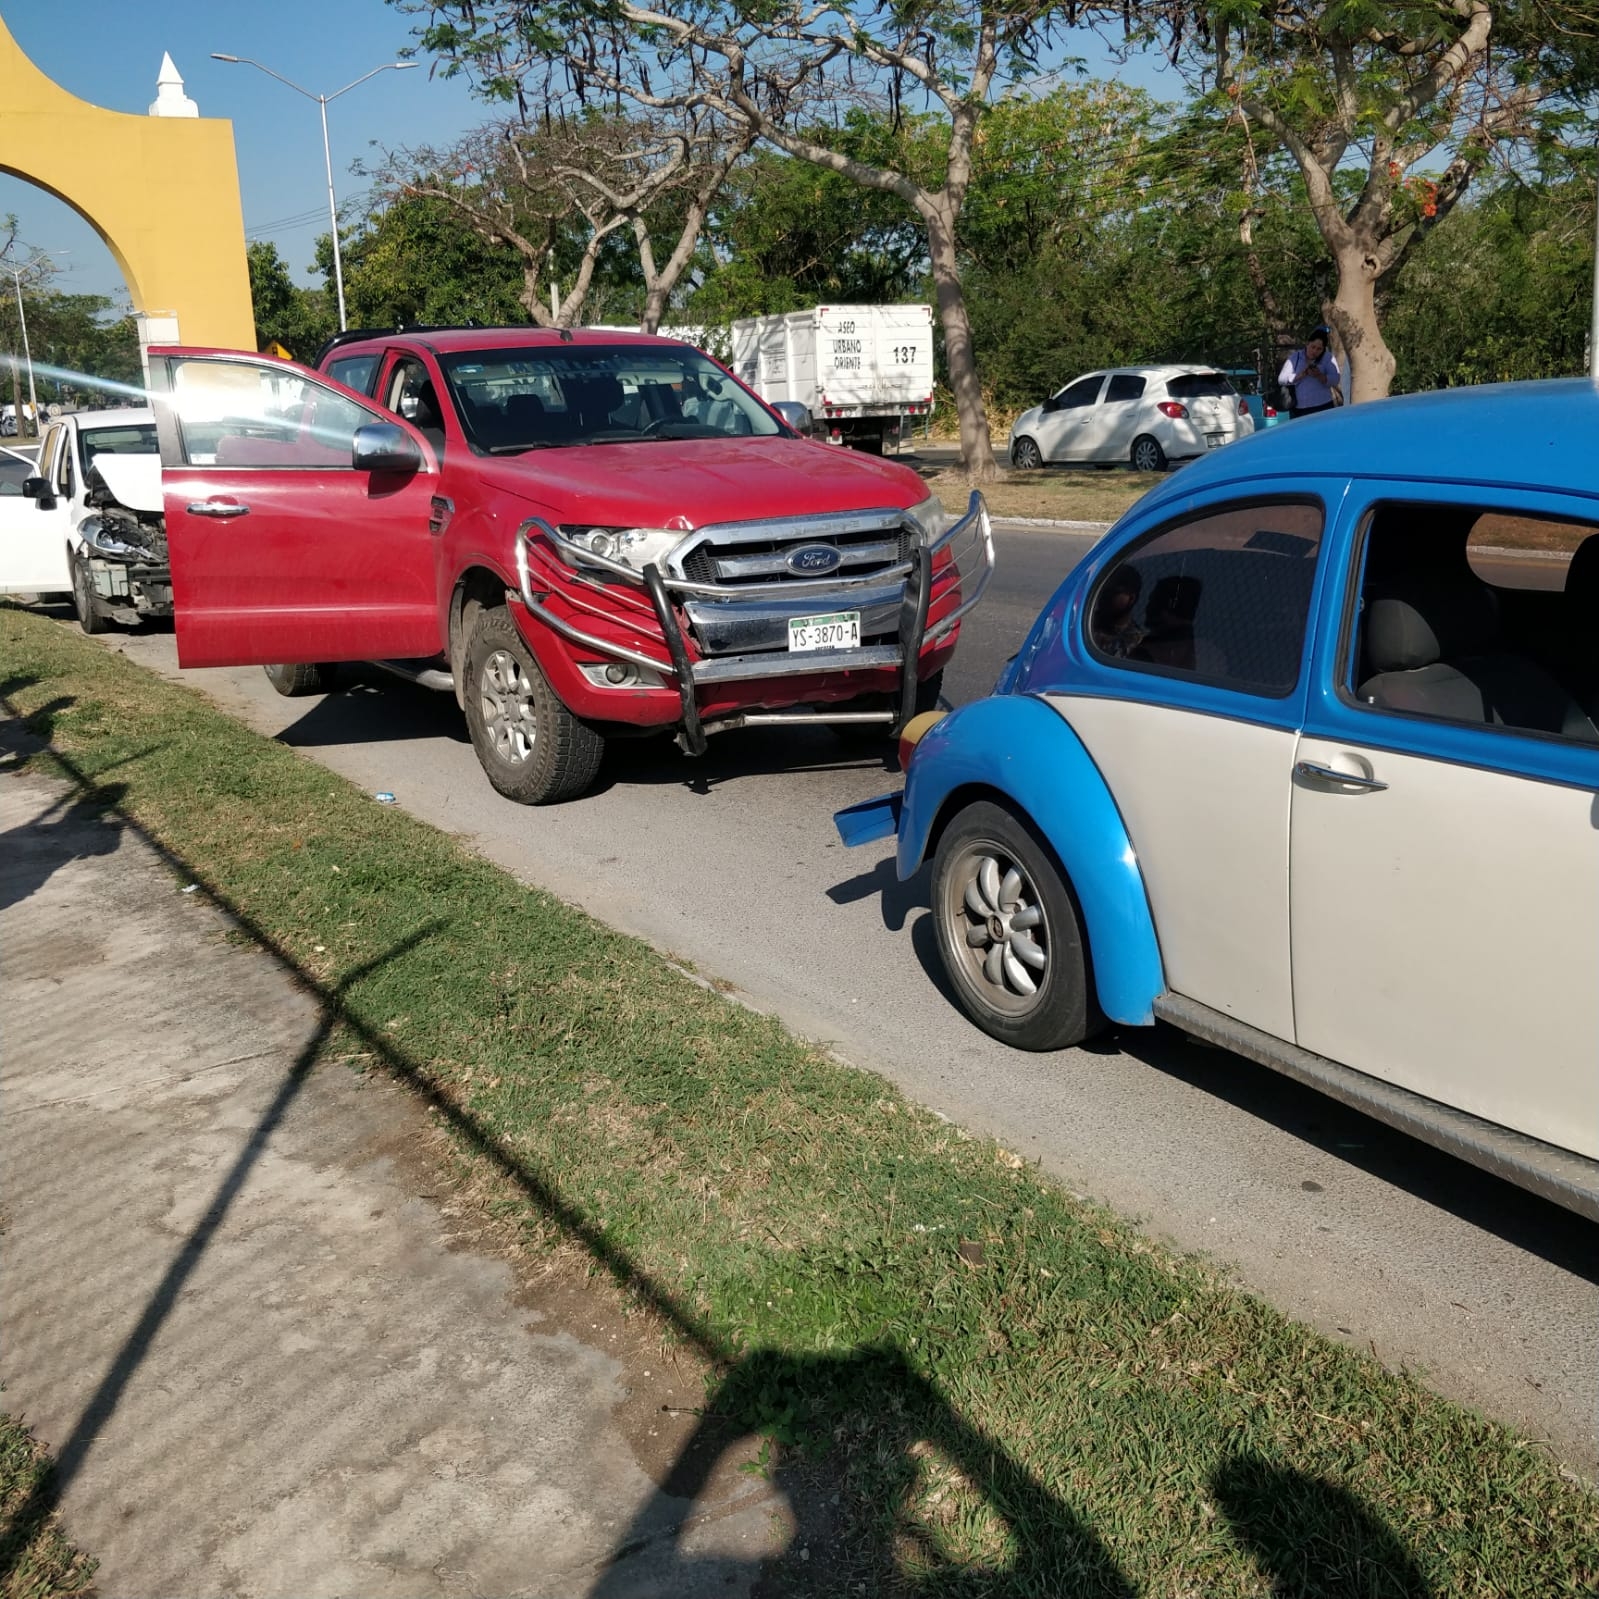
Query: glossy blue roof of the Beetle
1529, 436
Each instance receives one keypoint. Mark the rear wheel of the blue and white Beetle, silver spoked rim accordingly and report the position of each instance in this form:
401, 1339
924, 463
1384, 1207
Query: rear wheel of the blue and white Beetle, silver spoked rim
1061, 1013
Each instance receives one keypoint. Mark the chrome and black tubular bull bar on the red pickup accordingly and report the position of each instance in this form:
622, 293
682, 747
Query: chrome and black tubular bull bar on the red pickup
971, 535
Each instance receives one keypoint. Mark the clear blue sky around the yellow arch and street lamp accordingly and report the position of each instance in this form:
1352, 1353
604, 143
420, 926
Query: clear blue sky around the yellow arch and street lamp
110, 52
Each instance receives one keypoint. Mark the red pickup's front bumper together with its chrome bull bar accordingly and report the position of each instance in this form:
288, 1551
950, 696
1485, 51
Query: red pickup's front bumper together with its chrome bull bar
720, 650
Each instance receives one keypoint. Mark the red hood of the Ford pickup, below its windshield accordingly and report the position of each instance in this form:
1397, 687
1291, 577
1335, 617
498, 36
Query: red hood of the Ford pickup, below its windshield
690, 484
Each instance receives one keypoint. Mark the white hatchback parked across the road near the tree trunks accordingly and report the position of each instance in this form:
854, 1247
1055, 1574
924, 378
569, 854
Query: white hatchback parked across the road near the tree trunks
1141, 417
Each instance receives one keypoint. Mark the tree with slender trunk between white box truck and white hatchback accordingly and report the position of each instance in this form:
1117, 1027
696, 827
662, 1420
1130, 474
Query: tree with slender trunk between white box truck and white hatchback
780, 70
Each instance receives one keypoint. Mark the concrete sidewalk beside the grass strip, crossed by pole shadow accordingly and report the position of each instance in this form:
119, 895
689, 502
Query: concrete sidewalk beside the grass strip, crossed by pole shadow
241, 1314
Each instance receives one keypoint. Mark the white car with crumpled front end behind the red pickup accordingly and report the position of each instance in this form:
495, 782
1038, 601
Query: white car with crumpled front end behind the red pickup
89, 520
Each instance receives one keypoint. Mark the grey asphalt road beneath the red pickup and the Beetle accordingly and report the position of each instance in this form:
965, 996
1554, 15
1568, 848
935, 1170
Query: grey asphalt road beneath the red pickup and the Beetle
732, 863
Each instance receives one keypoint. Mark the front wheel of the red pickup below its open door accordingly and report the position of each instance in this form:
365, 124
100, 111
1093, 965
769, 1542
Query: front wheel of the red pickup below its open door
533, 749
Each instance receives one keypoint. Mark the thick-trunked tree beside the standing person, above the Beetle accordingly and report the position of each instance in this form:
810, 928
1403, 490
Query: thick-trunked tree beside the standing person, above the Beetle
1384, 92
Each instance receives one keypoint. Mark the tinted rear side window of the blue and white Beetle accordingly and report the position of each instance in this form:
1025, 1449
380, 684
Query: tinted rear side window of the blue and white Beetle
1221, 599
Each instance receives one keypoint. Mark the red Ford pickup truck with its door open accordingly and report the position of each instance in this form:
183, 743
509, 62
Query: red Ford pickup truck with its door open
584, 535
